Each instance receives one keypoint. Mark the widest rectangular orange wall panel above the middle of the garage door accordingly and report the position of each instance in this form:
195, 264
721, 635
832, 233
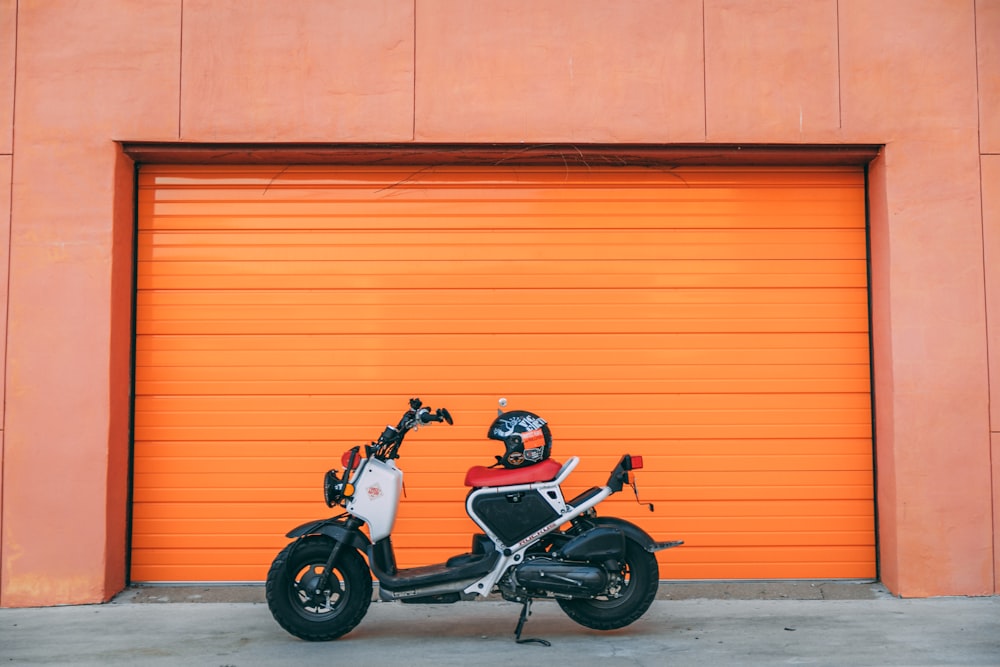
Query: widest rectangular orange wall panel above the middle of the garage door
485, 71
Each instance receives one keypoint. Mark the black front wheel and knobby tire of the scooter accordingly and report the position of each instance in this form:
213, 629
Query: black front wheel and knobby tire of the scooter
346, 597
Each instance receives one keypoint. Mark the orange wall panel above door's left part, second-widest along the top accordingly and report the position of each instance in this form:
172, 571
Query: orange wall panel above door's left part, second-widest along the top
327, 70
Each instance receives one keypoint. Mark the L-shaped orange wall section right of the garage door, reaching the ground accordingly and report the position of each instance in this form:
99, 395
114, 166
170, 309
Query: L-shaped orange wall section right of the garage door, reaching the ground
929, 320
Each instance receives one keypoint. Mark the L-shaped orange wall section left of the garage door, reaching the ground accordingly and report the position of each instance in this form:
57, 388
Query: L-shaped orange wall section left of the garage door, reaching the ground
68, 328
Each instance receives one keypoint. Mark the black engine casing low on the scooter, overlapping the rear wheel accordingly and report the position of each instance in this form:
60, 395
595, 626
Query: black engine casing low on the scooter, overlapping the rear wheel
544, 576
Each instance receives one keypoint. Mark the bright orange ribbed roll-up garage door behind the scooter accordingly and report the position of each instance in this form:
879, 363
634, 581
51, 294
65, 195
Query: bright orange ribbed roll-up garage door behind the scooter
713, 320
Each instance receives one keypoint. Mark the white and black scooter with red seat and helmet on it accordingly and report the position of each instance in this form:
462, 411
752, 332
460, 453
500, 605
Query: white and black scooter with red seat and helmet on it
535, 543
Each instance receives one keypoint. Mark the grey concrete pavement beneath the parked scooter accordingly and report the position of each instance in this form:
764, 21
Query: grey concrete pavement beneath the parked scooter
812, 623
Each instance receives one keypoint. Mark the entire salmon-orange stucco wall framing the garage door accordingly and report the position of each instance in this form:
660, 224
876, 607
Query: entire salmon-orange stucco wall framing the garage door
921, 77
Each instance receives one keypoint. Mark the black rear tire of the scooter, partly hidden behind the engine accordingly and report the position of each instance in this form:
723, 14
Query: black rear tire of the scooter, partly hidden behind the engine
641, 577
